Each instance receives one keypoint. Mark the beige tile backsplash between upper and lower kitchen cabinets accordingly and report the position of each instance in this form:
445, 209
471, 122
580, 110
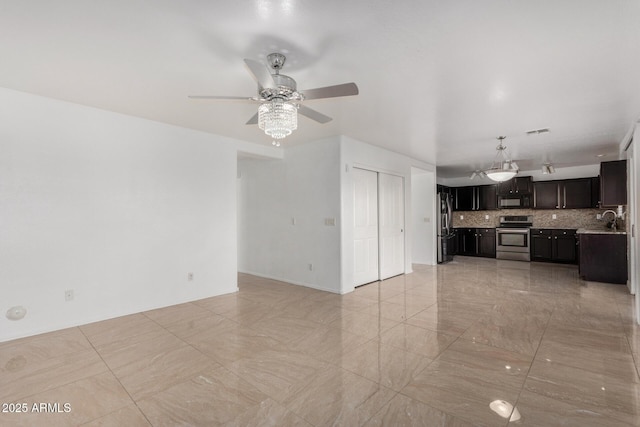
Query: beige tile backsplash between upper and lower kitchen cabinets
565, 218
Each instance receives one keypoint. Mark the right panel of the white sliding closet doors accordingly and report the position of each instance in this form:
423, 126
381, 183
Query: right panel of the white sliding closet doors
391, 228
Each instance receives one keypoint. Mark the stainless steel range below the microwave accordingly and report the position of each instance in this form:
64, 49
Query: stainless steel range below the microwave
513, 237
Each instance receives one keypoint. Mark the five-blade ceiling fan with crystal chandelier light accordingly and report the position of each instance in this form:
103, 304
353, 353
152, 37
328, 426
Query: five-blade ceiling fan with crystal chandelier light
280, 100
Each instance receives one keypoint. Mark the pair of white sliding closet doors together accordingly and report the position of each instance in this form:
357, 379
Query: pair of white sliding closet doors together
378, 223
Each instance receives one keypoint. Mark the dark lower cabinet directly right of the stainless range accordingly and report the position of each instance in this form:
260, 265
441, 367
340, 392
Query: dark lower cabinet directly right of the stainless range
554, 245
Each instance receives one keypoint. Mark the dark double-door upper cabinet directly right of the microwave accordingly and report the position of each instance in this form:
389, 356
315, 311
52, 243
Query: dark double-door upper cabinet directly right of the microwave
563, 194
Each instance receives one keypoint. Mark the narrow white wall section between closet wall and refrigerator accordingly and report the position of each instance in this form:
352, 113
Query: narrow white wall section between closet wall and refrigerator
423, 217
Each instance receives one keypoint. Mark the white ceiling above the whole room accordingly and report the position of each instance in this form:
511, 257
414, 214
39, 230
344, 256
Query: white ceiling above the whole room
439, 80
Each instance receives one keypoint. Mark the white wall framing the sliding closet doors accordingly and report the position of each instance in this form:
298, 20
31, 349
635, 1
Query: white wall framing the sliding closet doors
355, 153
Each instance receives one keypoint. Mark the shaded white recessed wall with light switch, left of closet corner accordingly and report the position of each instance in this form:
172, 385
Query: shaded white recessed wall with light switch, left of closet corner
305, 187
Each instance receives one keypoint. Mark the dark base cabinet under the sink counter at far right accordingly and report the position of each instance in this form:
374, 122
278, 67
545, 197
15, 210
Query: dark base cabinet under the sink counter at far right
603, 258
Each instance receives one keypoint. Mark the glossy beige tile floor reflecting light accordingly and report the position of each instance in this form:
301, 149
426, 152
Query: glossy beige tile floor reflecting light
460, 344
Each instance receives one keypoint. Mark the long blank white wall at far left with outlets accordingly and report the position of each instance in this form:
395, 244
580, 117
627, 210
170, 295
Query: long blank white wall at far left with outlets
118, 209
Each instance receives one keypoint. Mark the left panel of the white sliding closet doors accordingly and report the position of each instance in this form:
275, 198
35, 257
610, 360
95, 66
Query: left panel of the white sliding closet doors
365, 226
